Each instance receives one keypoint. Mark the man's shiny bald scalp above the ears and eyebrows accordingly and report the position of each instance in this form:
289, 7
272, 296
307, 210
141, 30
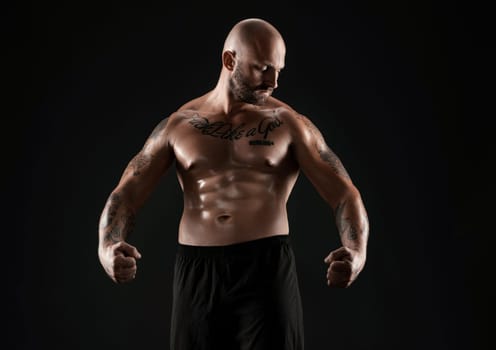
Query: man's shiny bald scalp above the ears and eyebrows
253, 34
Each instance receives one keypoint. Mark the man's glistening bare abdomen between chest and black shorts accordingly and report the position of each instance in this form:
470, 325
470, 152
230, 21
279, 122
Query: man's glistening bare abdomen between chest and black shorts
232, 207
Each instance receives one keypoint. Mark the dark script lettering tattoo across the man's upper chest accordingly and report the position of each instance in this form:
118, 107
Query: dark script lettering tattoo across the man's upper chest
228, 131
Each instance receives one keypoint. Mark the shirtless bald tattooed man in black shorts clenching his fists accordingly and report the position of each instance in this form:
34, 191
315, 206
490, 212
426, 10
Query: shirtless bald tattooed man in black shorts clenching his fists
238, 152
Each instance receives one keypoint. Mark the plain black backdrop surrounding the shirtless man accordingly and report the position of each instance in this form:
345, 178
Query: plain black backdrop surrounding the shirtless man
400, 89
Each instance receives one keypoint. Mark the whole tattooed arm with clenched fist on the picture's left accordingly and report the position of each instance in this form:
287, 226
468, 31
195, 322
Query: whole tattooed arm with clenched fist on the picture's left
138, 180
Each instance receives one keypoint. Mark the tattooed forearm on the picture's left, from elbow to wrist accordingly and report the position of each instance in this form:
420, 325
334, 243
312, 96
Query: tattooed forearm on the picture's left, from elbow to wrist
117, 220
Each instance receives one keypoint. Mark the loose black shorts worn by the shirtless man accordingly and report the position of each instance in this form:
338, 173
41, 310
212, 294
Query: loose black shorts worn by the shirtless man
243, 296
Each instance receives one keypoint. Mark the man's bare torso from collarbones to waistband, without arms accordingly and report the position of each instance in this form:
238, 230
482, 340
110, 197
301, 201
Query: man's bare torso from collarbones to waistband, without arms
236, 173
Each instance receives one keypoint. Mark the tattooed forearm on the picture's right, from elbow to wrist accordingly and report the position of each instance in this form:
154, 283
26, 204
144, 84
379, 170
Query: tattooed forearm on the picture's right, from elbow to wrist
352, 222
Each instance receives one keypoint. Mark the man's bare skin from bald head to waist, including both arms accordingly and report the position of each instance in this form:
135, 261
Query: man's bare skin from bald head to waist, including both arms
238, 152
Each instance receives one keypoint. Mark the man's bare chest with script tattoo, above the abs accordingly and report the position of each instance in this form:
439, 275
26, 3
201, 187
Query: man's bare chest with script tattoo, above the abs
203, 143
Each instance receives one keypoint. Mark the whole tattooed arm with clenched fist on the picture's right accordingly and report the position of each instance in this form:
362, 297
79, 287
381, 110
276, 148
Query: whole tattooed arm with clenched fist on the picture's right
328, 175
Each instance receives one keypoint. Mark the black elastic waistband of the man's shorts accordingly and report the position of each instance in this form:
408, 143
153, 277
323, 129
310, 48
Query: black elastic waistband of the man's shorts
242, 248
